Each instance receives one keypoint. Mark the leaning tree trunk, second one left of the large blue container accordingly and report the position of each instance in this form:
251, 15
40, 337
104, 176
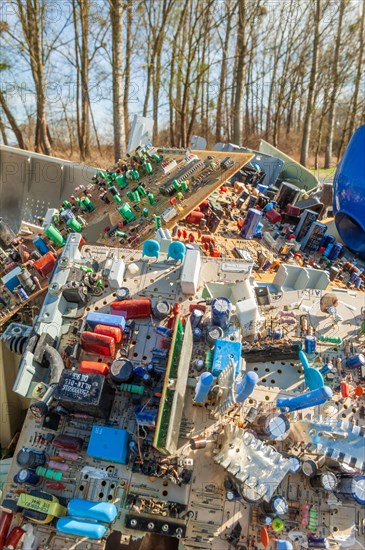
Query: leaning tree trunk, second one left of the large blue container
312, 83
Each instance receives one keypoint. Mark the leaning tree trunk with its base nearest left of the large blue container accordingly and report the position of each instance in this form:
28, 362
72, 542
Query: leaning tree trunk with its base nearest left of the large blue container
335, 86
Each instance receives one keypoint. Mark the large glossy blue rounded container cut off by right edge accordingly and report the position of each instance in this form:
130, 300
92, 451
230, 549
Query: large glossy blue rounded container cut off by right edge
349, 194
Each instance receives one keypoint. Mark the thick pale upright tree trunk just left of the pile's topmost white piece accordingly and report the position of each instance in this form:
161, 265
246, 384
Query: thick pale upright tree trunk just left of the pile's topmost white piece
116, 18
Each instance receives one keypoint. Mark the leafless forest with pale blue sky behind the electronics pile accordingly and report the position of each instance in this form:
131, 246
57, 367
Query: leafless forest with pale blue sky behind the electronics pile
73, 73
